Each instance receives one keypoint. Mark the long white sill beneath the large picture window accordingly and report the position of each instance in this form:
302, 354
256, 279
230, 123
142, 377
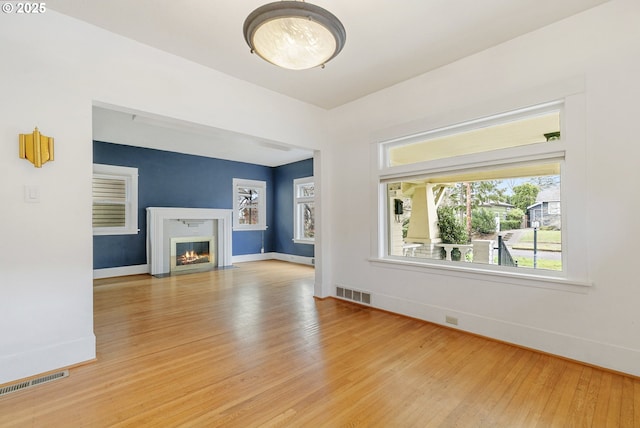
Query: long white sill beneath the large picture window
482, 273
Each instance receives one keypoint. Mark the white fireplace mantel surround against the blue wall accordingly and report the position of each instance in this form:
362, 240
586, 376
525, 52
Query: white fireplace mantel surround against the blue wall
158, 255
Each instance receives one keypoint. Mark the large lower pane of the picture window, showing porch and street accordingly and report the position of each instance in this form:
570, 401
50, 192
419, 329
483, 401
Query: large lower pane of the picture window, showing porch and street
473, 219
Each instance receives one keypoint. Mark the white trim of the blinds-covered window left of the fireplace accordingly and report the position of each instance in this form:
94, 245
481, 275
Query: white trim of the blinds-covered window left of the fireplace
130, 176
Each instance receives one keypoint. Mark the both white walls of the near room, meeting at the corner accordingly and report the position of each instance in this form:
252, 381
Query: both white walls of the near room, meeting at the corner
54, 68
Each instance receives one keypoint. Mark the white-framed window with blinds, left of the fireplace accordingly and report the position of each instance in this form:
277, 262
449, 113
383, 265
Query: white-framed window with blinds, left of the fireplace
115, 197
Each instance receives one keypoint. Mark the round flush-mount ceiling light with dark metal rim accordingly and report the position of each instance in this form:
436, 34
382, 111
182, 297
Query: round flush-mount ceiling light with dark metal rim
294, 34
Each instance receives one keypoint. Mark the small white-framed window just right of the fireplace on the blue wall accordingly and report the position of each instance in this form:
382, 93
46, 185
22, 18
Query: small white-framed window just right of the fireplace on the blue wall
250, 202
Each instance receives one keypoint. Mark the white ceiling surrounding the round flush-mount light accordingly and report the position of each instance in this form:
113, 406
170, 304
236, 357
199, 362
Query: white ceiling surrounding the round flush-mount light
387, 41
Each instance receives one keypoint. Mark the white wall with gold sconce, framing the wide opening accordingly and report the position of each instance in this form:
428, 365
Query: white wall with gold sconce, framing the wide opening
53, 69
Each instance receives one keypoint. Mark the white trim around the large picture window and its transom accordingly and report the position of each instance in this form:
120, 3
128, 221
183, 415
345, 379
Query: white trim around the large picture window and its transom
573, 178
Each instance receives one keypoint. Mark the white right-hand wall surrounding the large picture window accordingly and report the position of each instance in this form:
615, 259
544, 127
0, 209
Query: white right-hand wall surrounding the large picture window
597, 52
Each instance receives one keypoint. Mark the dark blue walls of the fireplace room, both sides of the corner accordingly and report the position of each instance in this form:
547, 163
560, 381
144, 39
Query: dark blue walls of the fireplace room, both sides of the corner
168, 179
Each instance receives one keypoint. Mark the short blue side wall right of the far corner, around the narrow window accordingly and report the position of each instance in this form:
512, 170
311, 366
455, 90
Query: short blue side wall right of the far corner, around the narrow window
283, 221
